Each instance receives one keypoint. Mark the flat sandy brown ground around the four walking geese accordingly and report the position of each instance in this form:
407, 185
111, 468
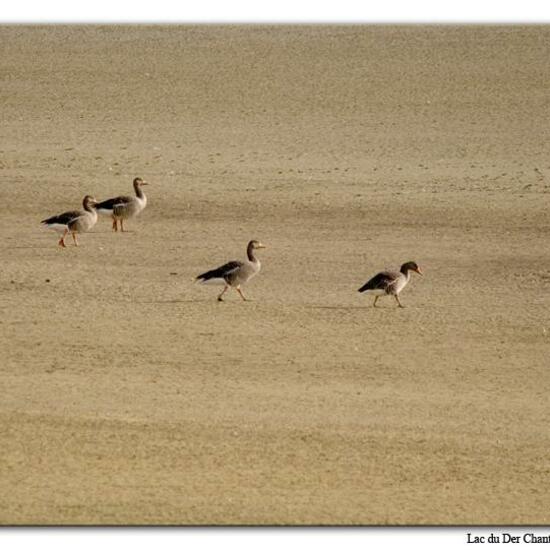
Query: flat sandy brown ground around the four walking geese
129, 395
